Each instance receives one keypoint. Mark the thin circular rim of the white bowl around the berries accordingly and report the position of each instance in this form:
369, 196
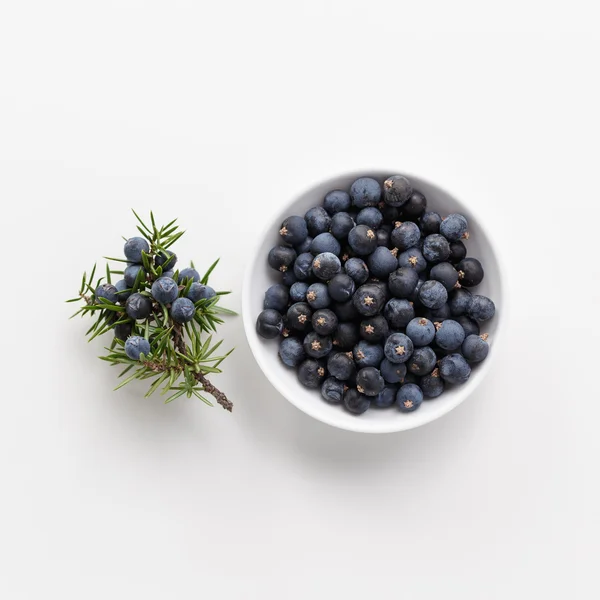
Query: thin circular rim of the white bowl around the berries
359, 425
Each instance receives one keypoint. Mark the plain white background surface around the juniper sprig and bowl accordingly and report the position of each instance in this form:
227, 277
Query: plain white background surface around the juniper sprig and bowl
214, 113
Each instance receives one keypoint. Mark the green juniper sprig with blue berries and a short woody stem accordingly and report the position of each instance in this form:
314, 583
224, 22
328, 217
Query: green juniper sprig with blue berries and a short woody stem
182, 354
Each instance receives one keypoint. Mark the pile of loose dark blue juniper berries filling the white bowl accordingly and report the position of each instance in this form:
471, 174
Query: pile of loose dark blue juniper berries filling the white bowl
373, 307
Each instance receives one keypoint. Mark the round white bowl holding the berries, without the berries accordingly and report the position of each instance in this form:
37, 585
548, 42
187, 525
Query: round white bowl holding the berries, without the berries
259, 276
